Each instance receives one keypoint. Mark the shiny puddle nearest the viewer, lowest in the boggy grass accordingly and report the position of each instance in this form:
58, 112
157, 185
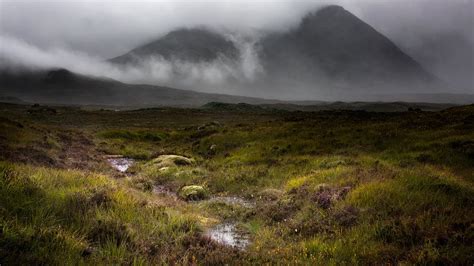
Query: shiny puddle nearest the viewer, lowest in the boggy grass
228, 234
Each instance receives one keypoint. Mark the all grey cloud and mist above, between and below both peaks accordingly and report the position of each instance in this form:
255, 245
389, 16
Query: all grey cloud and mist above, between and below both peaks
80, 36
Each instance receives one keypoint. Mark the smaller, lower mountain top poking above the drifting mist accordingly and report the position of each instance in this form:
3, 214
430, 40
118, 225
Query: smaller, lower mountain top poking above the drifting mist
193, 45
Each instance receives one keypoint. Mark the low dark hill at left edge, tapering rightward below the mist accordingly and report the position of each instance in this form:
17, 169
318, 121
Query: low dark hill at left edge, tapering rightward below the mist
60, 86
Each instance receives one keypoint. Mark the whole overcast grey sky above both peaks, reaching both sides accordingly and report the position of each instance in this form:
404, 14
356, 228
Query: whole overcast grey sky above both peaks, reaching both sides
106, 29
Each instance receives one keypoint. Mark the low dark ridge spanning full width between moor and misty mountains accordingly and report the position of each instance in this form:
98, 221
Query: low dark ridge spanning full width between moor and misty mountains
60, 86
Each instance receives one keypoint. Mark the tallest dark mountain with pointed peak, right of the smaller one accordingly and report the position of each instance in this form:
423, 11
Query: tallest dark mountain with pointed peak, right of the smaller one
334, 48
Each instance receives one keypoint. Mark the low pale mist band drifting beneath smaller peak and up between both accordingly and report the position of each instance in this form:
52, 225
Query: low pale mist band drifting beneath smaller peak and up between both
207, 76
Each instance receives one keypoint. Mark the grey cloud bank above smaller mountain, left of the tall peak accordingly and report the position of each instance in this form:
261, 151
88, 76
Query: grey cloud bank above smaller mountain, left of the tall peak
107, 28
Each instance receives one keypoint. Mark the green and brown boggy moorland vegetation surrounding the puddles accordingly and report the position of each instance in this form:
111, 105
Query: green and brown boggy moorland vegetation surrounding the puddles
327, 187
